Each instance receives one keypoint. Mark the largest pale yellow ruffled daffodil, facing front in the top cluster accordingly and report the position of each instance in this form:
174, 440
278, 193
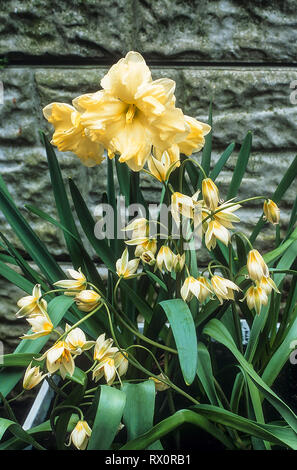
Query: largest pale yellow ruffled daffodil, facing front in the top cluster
132, 113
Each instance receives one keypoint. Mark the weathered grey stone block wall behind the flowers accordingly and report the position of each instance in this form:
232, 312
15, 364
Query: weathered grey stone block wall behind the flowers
242, 54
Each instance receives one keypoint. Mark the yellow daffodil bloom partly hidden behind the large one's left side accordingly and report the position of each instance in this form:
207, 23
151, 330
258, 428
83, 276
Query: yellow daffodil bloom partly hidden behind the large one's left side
70, 134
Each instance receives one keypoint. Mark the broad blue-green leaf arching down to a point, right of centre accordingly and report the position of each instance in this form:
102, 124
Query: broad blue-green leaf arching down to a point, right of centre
183, 329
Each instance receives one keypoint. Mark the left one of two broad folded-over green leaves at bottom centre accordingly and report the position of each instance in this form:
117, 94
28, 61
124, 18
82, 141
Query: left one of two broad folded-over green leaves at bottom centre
108, 417
